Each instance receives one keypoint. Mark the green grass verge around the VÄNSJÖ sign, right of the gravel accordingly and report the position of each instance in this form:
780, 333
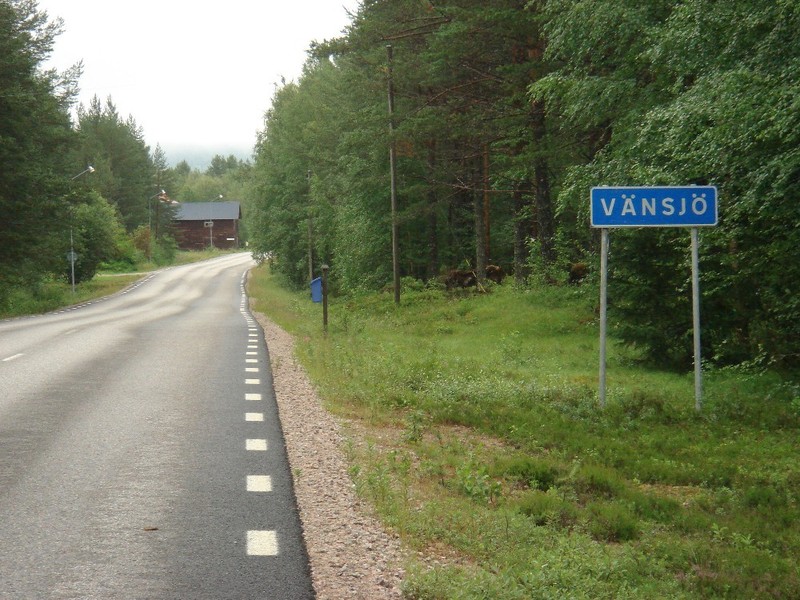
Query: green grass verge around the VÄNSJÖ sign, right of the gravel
486, 449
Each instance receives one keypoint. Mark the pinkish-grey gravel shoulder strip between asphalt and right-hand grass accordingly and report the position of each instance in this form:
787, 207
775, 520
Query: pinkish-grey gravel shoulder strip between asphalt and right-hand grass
351, 554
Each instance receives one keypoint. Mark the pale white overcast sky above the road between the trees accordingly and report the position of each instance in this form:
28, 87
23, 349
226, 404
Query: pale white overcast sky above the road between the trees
194, 75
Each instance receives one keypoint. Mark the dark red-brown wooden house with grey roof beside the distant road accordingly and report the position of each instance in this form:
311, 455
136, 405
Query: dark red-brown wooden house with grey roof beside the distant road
199, 225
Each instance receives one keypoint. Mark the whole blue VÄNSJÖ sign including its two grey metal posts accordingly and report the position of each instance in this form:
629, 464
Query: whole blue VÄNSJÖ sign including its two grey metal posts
670, 206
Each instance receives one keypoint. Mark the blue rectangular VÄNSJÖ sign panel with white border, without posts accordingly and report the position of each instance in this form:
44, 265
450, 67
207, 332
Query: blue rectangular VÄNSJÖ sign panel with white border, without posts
689, 206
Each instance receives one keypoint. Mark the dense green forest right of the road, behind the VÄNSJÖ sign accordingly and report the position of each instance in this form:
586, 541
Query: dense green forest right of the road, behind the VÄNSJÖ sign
504, 114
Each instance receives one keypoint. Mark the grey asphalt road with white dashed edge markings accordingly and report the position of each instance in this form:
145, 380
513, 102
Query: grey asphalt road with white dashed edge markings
140, 450
